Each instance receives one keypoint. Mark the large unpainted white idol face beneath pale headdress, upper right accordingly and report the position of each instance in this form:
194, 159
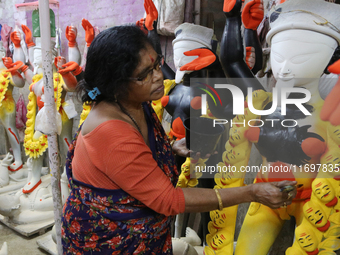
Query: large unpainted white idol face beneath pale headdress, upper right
300, 55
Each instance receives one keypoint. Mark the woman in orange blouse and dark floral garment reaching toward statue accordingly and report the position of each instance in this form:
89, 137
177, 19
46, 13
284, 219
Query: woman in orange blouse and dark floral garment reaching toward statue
121, 167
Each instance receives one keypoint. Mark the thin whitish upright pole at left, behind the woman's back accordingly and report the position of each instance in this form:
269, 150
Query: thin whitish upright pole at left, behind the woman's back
53, 151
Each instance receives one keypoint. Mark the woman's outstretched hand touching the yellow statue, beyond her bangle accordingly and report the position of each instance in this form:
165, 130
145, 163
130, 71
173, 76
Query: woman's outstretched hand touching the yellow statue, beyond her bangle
270, 194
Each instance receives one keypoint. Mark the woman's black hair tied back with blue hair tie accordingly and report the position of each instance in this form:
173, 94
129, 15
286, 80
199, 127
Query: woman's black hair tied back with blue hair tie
111, 59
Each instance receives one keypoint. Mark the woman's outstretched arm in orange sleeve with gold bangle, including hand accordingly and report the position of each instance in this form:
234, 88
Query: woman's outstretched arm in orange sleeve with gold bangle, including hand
131, 166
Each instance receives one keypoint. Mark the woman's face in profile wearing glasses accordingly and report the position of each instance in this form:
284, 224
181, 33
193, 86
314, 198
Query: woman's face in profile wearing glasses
148, 69
